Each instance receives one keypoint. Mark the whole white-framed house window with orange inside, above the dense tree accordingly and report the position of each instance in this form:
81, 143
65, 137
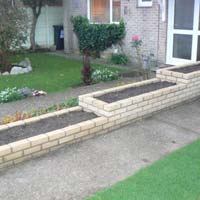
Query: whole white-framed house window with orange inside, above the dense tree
104, 11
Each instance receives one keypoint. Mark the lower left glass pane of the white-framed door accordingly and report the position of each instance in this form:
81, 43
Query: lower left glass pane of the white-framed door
182, 46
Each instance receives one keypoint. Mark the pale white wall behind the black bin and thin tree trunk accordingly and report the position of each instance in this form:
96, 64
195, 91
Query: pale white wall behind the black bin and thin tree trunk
44, 31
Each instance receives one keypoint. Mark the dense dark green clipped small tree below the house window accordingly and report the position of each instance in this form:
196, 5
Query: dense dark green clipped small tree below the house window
95, 38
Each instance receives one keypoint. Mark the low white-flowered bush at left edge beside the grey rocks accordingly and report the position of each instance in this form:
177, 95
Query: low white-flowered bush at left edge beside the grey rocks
10, 94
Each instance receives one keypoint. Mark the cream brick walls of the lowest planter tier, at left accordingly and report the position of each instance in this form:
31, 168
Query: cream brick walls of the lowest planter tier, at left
19, 151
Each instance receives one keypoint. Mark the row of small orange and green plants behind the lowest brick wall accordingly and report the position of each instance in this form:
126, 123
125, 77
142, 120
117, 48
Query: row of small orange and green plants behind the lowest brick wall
21, 116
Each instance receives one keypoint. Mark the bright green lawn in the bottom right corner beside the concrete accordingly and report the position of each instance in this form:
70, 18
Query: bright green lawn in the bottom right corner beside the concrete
175, 177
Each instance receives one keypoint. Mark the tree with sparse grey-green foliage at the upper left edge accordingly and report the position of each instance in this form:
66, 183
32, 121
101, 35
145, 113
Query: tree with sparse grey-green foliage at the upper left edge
13, 29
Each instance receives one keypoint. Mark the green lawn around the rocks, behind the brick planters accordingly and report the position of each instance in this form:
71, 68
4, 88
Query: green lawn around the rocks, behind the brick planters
50, 73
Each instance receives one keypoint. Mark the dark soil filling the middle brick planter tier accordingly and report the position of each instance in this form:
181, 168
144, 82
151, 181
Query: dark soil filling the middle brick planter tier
134, 91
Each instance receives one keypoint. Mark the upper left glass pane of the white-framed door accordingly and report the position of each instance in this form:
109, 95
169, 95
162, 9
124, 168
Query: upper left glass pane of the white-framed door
184, 14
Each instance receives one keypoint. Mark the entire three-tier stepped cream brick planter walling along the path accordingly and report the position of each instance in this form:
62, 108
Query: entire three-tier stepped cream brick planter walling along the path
111, 115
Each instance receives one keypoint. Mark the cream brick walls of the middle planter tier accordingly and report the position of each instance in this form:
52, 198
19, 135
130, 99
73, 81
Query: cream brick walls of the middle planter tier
134, 107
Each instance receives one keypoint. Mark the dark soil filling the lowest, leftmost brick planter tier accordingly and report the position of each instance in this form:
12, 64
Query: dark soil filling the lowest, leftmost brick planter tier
44, 126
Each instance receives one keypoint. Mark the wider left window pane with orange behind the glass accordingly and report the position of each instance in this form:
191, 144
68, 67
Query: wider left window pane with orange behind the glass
100, 10
